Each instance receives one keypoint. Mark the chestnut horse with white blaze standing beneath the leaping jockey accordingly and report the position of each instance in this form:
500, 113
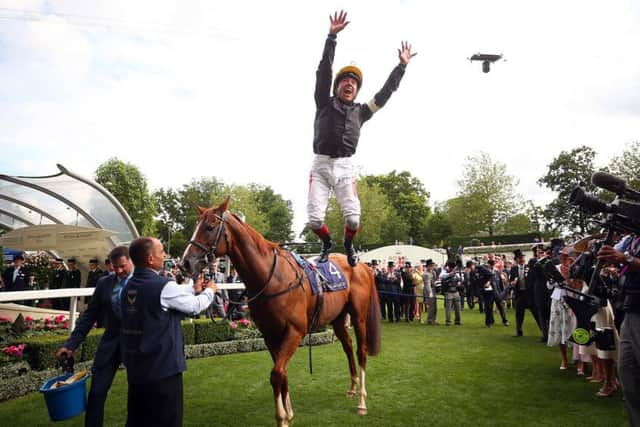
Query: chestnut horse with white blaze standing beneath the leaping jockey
281, 302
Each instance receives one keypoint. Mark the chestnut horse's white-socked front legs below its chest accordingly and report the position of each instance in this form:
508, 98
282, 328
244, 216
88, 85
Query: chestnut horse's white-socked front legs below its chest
279, 378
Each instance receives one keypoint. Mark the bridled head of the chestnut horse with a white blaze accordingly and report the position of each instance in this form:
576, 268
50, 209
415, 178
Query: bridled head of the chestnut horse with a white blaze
209, 241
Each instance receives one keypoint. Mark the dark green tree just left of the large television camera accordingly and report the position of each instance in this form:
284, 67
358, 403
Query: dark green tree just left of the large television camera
564, 173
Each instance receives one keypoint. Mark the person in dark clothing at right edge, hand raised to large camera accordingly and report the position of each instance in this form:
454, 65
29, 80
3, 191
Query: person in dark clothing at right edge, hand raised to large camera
627, 255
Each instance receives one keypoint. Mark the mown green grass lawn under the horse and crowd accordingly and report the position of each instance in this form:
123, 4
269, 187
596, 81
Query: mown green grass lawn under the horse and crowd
424, 376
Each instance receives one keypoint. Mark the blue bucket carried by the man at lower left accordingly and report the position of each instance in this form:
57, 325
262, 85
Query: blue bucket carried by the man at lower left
67, 401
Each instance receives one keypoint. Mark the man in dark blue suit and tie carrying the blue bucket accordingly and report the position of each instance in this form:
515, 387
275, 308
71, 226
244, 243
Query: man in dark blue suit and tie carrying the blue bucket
101, 309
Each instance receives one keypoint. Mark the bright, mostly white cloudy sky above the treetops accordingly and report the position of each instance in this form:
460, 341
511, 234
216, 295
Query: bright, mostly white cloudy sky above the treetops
189, 89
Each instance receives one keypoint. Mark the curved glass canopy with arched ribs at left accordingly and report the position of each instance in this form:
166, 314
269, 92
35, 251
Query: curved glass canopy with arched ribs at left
63, 199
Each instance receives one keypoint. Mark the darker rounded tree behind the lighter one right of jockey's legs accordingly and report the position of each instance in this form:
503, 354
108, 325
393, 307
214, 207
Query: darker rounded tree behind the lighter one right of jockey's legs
408, 197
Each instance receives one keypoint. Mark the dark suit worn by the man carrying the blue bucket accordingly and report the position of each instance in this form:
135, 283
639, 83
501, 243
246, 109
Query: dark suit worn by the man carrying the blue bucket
108, 358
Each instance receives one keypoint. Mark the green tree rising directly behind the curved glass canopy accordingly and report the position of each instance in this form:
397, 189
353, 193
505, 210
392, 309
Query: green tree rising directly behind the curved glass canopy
129, 186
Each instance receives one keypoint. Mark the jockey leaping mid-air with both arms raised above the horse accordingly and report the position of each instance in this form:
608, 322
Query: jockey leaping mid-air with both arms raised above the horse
336, 132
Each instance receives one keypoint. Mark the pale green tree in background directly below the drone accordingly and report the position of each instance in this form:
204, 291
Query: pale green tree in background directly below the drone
487, 195
